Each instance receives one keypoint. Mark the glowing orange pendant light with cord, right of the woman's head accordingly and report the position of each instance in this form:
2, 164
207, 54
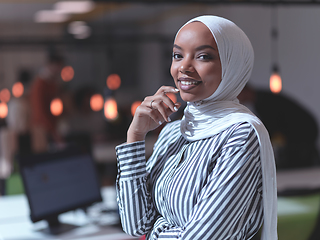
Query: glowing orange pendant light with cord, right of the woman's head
275, 82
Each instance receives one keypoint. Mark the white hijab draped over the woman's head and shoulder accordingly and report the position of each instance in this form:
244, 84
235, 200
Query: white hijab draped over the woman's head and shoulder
205, 118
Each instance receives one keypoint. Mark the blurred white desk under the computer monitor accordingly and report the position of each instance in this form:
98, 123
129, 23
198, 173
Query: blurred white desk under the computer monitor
15, 223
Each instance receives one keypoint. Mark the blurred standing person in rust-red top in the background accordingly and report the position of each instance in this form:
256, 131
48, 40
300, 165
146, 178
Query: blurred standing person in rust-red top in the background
44, 89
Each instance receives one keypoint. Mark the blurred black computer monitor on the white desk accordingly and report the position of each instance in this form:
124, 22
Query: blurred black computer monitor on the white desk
58, 182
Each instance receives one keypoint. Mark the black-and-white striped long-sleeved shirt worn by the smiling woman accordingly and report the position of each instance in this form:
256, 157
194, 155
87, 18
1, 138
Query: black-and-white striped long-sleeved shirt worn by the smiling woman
205, 189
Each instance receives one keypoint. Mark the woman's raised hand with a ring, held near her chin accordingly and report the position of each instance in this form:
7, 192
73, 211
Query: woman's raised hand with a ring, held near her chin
152, 112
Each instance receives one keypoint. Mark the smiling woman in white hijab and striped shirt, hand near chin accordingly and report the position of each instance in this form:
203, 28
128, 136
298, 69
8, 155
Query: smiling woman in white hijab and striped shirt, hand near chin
212, 174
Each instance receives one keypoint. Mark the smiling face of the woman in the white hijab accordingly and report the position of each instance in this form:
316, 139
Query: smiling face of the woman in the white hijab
196, 66
